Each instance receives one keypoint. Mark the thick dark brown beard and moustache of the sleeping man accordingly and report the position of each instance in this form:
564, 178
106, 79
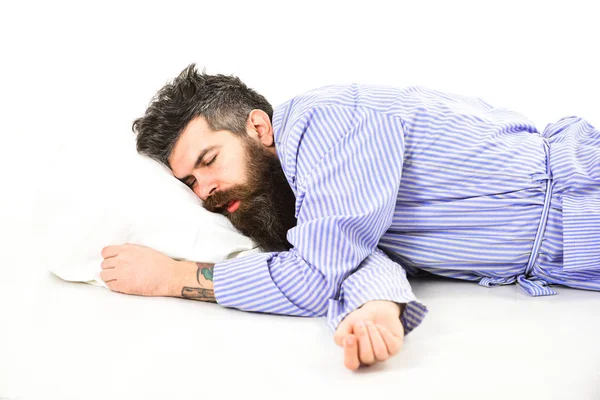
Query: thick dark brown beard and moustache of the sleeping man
267, 207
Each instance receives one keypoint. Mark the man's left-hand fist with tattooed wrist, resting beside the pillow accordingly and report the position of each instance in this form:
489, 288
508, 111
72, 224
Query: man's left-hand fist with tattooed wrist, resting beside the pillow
140, 270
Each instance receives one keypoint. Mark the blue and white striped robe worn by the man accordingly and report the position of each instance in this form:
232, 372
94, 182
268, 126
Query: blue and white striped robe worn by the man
390, 182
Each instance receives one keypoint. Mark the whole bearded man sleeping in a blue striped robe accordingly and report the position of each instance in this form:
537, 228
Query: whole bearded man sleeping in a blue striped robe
348, 188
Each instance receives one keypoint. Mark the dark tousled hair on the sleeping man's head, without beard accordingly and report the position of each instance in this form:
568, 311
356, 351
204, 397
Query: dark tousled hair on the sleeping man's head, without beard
225, 102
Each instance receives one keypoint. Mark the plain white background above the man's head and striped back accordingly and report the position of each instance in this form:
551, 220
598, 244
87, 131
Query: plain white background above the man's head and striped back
87, 69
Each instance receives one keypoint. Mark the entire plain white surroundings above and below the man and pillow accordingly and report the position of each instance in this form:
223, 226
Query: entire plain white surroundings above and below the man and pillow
79, 69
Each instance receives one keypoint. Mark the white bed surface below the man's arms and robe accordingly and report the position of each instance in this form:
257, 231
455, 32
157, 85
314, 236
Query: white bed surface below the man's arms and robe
493, 343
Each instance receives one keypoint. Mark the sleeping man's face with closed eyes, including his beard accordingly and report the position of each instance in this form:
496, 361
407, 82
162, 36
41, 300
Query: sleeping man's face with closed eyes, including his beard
239, 177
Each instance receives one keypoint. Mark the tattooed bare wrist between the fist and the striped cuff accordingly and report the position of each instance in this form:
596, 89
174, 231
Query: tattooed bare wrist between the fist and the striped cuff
193, 281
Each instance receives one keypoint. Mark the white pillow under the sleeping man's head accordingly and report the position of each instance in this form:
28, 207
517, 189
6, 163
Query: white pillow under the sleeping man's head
100, 192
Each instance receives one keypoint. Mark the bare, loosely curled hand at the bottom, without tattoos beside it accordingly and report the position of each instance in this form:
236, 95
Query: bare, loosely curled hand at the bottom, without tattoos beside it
371, 333
